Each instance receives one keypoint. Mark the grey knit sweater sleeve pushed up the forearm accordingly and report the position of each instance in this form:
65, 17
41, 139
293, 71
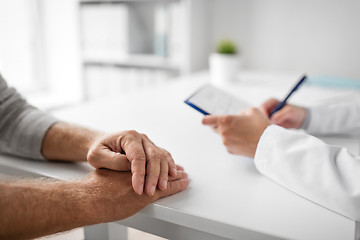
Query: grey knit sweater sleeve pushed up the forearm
22, 126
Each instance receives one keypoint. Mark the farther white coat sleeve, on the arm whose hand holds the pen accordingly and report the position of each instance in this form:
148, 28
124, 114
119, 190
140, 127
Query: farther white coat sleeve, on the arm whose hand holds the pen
335, 119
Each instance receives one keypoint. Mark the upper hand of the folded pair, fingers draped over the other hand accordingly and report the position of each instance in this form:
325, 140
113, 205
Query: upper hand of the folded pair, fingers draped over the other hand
129, 150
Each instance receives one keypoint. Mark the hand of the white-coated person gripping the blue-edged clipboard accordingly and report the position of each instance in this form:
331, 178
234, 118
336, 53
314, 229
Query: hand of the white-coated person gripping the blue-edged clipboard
240, 133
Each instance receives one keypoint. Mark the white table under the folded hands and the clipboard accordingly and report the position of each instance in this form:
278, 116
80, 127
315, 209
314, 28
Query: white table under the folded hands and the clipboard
227, 197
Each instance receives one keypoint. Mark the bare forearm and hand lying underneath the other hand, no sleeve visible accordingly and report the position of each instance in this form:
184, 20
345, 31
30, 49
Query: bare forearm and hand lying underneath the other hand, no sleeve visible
33, 208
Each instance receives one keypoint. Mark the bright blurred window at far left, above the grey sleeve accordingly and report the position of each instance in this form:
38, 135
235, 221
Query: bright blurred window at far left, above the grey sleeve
20, 40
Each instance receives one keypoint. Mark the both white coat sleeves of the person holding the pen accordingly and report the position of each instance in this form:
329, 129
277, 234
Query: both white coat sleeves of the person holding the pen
328, 175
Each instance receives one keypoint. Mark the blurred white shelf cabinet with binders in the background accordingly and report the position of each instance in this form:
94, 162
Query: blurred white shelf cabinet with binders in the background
127, 45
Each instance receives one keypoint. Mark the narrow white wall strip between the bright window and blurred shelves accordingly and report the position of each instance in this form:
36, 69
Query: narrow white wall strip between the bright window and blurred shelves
62, 43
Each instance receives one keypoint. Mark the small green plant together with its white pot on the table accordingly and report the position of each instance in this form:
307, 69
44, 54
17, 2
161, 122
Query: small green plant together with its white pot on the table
224, 63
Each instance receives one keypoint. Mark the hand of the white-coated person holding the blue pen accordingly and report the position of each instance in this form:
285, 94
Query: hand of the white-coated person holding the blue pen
290, 116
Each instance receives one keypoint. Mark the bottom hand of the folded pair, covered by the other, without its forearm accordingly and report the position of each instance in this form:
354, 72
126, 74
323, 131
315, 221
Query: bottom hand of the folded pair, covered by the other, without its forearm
113, 198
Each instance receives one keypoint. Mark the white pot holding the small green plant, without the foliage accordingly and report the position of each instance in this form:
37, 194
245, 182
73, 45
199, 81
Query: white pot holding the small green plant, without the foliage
224, 68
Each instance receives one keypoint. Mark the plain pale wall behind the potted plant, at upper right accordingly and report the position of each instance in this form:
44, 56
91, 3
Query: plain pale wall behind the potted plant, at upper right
317, 36
